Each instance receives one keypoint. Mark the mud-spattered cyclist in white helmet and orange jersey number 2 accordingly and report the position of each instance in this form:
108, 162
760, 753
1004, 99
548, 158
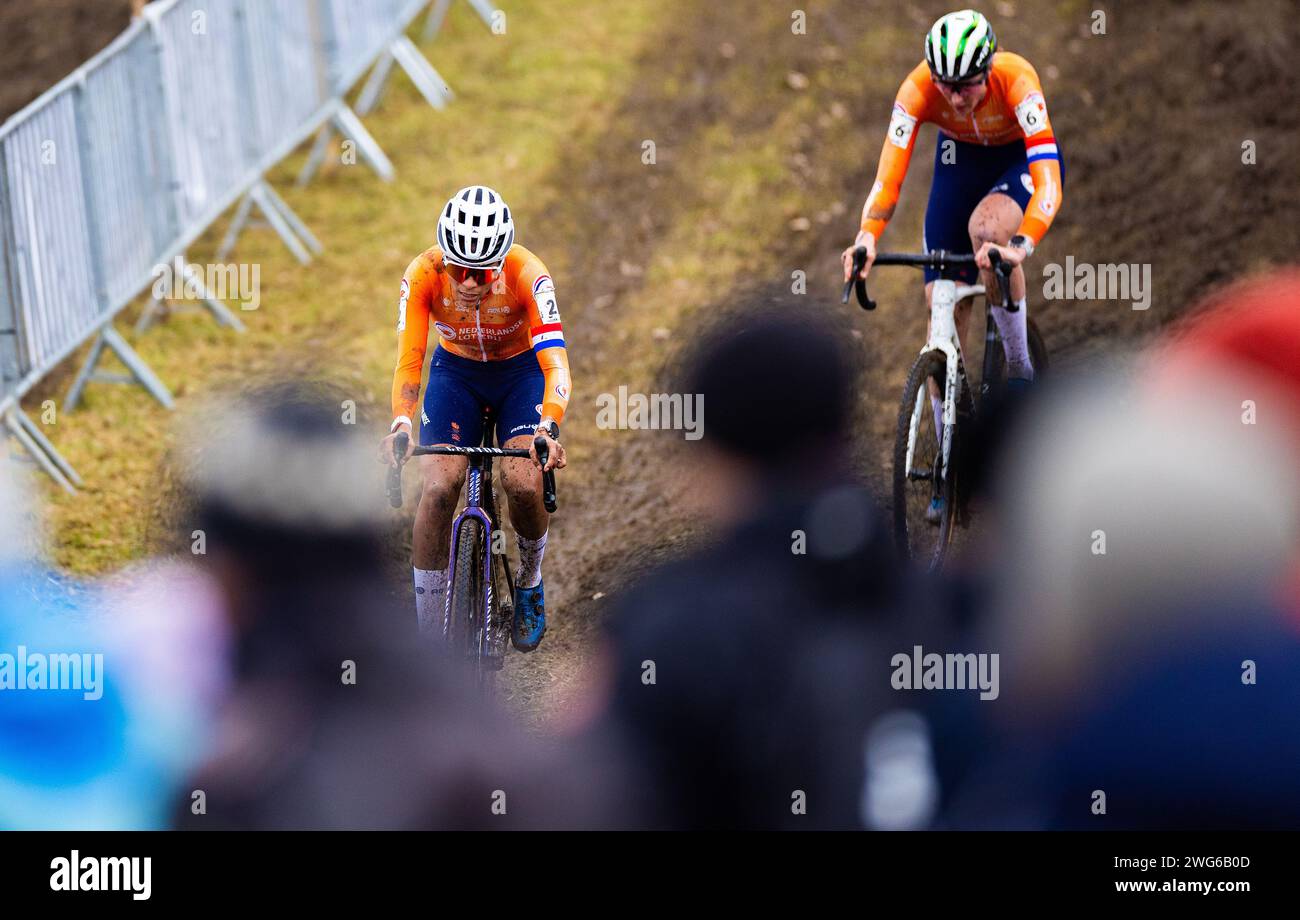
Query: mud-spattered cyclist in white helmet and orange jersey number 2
501, 348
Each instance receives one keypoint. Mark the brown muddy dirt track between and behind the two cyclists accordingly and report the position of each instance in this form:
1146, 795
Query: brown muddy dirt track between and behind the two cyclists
1151, 119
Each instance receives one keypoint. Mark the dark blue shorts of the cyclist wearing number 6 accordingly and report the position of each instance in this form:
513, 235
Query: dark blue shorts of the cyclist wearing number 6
974, 173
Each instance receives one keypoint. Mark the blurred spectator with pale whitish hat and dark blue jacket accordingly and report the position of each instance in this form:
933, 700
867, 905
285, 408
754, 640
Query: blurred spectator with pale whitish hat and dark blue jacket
1143, 535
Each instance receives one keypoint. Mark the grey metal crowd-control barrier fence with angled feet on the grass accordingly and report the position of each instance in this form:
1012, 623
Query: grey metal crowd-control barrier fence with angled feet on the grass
123, 166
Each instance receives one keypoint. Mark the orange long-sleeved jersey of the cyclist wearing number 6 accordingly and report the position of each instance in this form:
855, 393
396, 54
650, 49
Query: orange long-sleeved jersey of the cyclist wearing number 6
1013, 110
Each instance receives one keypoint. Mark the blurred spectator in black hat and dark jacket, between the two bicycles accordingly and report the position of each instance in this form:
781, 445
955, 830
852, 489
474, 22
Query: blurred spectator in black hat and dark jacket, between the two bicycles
746, 679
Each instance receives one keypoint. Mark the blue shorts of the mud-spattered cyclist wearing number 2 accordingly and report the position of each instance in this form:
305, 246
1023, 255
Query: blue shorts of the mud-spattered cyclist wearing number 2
460, 390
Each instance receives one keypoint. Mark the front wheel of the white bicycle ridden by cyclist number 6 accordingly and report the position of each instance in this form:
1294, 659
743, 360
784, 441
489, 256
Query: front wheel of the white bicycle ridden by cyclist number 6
920, 484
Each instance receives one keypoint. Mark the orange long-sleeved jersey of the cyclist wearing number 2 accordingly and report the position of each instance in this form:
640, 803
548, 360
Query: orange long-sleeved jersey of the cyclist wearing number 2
518, 315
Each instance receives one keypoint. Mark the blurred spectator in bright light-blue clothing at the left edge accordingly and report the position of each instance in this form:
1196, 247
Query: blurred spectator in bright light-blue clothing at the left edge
73, 747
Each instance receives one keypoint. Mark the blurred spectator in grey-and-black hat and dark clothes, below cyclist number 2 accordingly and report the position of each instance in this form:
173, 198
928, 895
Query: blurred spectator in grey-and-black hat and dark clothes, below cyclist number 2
337, 719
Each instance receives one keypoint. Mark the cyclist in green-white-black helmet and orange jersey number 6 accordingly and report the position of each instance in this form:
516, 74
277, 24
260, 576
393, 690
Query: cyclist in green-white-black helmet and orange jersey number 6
998, 170
